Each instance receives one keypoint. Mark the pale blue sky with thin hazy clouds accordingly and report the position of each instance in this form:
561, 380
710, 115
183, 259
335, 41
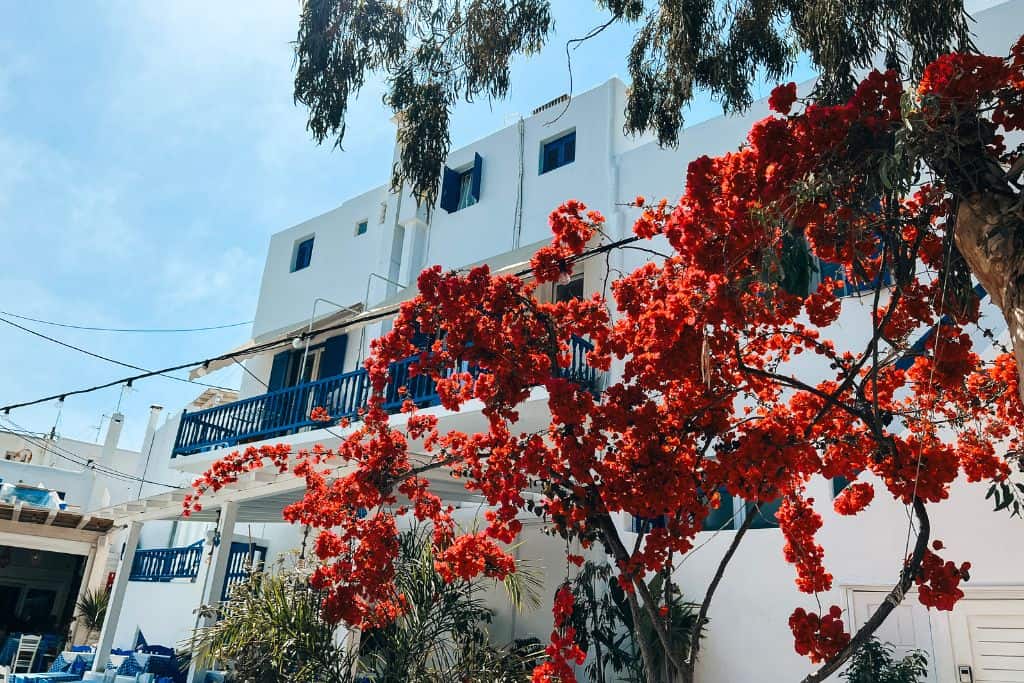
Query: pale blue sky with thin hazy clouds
148, 152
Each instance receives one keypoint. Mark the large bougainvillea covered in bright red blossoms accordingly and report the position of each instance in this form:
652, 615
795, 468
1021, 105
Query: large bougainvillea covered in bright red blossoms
711, 401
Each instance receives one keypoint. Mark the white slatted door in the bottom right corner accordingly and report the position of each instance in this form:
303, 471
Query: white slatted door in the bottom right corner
989, 637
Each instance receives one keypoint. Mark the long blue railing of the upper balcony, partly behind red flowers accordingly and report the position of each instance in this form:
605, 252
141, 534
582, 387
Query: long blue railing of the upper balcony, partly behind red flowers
287, 411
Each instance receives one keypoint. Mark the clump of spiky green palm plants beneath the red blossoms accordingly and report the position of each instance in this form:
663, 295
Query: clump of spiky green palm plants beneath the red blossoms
272, 630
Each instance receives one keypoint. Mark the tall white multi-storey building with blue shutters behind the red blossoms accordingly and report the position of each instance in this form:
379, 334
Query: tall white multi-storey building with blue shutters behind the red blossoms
359, 261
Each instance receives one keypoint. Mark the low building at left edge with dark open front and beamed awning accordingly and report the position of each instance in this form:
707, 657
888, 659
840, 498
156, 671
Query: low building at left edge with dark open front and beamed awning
52, 549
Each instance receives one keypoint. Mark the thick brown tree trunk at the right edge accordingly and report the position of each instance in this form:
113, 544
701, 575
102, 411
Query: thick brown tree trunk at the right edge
990, 233
